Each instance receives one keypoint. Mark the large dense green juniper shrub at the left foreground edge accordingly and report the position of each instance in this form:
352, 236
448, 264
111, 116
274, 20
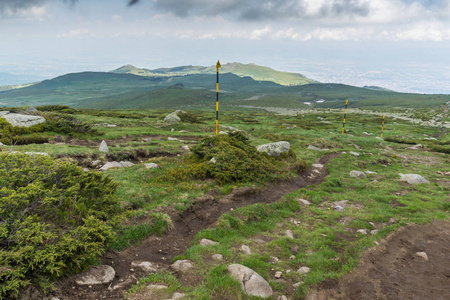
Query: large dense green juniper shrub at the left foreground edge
55, 220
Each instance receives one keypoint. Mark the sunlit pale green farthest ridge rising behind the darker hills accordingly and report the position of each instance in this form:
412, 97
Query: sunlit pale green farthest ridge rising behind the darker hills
254, 71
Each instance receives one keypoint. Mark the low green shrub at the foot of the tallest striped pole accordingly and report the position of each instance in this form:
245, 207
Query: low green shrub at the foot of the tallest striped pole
229, 158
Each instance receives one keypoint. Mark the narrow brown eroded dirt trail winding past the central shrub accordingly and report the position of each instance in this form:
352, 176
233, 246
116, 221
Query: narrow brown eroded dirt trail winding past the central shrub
204, 213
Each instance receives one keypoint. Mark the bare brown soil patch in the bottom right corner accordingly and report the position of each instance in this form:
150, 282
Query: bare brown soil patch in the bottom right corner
393, 270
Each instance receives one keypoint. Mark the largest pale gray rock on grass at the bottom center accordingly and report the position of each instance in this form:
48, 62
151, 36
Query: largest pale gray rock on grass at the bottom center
251, 282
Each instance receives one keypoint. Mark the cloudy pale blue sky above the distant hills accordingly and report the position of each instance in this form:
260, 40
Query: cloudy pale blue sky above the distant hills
403, 45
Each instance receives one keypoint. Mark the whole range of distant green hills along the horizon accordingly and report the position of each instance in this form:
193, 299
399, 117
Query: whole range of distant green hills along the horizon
193, 87
